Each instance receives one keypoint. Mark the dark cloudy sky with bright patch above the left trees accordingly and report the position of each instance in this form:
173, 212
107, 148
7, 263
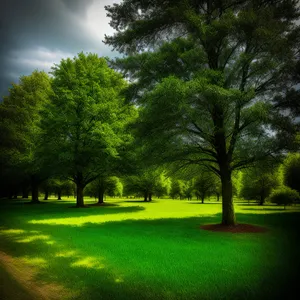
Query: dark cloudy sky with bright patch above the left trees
35, 34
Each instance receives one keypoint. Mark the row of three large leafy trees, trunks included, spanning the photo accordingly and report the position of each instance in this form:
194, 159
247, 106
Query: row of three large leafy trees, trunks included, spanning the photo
210, 85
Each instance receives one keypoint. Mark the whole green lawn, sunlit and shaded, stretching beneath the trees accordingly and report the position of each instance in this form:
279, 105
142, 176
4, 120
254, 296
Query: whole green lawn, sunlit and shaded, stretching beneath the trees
136, 250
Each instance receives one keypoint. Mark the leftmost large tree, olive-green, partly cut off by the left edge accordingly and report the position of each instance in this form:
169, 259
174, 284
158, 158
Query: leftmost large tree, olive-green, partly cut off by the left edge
20, 131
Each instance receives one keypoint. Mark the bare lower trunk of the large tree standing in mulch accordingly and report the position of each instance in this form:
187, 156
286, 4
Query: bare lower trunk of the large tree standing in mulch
228, 215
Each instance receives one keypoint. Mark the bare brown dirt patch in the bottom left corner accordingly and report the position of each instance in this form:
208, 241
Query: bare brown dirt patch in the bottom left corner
26, 275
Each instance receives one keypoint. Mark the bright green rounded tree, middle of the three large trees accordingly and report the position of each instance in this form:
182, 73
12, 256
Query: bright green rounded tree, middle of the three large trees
84, 125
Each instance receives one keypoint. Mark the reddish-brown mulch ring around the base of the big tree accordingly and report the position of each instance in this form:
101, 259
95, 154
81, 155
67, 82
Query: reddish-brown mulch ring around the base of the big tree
238, 228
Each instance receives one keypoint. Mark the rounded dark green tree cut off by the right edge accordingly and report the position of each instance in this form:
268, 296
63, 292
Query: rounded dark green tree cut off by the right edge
291, 171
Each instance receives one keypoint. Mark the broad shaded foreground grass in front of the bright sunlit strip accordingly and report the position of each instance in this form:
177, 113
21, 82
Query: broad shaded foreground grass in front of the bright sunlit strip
129, 249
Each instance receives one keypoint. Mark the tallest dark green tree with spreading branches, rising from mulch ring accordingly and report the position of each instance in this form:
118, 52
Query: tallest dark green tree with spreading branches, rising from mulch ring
206, 92
